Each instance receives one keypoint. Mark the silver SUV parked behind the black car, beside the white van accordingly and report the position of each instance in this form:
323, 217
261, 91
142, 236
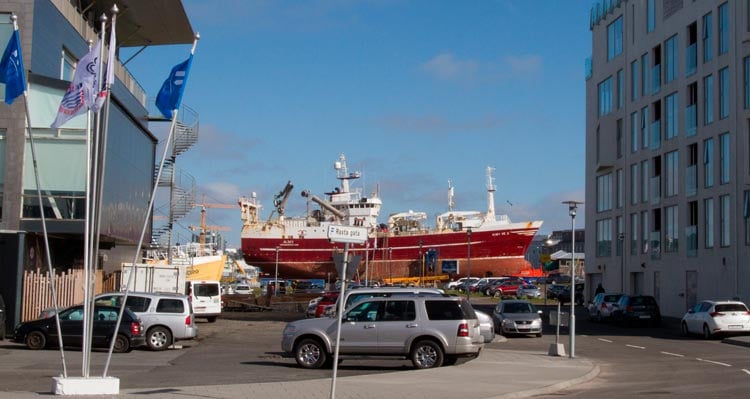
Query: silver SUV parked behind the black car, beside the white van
166, 317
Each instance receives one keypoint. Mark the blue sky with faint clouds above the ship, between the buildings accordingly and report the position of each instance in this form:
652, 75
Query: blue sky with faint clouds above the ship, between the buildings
414, 92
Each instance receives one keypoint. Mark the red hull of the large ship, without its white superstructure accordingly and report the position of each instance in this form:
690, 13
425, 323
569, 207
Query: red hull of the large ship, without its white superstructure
497, 253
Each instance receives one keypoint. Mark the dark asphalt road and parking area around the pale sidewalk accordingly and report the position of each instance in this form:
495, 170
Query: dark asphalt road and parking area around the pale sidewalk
244, 348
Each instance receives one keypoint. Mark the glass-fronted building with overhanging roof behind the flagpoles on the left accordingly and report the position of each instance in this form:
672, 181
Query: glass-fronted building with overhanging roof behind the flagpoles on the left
54, 35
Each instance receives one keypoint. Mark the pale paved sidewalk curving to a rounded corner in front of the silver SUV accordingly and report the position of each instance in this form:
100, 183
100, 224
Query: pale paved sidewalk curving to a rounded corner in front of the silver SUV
495, 374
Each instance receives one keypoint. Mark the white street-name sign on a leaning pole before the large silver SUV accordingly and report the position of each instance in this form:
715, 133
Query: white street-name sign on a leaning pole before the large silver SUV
347, 235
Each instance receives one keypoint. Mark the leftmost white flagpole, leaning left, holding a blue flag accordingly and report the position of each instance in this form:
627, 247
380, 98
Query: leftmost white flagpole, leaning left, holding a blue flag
48, 258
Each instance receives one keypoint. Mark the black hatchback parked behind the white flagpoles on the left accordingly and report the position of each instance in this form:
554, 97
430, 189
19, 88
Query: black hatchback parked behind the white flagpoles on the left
38, 334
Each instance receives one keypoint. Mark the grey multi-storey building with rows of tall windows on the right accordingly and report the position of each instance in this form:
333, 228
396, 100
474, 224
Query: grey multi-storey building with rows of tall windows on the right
667, 150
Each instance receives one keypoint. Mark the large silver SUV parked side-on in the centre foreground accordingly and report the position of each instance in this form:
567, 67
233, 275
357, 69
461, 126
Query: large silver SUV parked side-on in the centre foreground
431, 330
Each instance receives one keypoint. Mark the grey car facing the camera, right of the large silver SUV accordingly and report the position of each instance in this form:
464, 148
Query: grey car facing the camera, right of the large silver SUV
517, 317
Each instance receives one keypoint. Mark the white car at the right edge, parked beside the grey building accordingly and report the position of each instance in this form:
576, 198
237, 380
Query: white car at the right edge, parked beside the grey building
711, 318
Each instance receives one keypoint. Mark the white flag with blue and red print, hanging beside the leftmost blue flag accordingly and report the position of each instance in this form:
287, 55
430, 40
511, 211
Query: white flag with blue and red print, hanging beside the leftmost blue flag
81, 93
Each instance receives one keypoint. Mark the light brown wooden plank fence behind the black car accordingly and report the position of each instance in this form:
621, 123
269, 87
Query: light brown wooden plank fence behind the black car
37, 294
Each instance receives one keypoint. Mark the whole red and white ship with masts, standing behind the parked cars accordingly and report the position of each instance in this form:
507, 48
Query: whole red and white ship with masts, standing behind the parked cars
477, 243
